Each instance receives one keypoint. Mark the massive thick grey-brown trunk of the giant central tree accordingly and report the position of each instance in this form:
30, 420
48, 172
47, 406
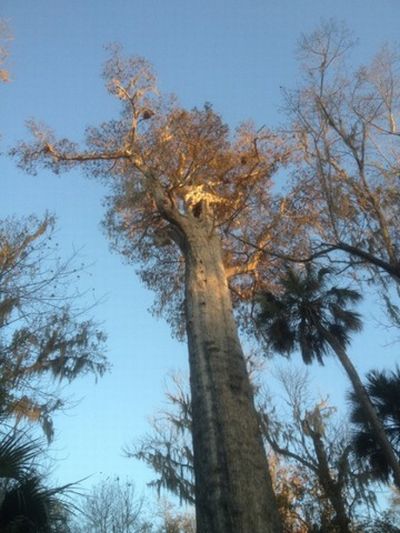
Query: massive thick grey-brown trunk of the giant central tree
233, 486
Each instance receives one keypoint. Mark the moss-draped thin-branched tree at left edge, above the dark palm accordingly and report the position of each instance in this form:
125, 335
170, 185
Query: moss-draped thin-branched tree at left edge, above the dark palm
42, 334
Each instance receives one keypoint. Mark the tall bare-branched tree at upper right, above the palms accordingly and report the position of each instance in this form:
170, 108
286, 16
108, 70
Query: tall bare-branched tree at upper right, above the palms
345, 123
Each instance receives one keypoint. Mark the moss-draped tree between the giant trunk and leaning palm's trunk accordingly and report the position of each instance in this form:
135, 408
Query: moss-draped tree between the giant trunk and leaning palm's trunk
306, 434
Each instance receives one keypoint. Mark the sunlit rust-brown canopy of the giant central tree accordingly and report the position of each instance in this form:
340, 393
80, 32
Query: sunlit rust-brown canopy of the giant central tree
158, 157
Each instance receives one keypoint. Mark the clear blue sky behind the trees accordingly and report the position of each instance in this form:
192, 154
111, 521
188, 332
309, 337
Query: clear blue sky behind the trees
235, 54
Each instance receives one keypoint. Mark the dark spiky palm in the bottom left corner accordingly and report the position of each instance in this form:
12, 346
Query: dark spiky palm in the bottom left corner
26, 505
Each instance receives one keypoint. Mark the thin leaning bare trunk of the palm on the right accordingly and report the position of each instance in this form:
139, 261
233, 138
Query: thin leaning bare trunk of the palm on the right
376, 424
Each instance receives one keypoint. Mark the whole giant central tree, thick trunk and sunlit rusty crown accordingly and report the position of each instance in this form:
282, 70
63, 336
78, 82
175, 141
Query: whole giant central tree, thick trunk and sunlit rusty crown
184, 193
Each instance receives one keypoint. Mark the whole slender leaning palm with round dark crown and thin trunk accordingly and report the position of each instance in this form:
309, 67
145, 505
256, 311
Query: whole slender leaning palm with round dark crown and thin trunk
313, 317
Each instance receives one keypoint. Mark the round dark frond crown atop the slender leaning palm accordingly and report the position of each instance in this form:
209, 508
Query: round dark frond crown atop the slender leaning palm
306, 308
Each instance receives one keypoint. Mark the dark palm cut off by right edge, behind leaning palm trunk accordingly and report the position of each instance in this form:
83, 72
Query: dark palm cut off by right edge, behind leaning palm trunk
384, 391
